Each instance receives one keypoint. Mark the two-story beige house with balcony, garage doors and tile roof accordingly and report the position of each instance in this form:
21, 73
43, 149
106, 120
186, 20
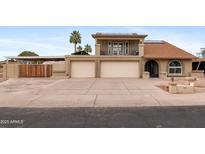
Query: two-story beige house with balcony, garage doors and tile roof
130, 55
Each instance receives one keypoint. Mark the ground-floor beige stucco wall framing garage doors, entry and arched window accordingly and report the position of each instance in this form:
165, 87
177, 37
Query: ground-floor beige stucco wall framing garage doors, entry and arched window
97, 60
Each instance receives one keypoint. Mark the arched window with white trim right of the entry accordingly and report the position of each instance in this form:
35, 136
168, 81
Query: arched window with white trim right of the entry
175, 67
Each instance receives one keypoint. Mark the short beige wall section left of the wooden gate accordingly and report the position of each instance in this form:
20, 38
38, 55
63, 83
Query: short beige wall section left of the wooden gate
11, 70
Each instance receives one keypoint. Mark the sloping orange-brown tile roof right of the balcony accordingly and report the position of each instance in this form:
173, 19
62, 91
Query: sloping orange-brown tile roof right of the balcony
164, 50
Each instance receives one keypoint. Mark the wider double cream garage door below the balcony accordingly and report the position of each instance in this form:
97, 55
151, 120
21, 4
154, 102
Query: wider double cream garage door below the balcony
119, 69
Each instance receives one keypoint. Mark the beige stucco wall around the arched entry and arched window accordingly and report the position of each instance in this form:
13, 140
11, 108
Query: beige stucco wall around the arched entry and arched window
163, 66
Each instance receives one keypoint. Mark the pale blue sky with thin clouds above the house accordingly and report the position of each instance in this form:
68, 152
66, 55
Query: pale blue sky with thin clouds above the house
54, 40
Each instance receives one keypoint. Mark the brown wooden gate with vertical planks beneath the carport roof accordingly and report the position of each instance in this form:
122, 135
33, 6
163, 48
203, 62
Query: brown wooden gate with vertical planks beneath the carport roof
30, 70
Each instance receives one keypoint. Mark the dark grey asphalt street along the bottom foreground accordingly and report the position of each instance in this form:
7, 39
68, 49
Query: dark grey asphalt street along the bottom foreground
129, 117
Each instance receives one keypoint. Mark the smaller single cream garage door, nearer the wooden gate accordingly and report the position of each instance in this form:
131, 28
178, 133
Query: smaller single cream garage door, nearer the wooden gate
82, 69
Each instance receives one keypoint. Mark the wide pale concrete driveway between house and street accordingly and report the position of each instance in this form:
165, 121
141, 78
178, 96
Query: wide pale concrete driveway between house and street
25, 93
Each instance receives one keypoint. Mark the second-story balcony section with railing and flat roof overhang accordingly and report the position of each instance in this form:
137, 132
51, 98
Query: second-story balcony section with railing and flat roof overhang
119, 44
